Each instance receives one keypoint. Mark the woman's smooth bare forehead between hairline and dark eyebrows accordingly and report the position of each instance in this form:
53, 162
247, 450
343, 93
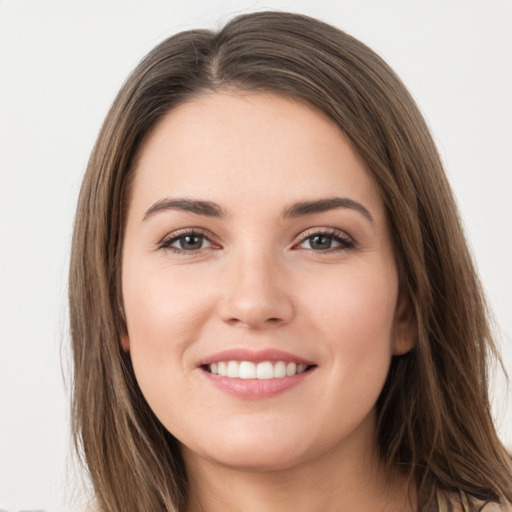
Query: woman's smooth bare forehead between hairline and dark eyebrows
262, 147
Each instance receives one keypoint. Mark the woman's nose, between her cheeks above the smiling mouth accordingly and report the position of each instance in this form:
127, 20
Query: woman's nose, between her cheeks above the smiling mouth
257, 294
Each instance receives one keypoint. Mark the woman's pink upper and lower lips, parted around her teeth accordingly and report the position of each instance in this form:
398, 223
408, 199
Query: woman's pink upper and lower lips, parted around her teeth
255, 389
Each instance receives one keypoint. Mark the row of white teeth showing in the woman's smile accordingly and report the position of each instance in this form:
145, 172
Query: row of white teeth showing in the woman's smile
250, 370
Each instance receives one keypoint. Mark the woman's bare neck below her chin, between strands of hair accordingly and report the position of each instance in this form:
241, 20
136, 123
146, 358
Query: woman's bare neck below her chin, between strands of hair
344, 479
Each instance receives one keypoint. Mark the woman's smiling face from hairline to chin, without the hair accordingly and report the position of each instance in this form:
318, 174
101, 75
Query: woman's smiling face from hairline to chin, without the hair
259, 283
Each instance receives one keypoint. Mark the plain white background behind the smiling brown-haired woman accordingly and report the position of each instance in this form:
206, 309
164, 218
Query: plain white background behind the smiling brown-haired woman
62, 62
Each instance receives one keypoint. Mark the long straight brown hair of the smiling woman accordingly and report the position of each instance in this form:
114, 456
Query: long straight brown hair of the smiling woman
434, 418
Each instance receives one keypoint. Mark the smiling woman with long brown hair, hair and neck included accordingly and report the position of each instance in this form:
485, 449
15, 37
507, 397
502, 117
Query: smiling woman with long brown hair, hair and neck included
272, 302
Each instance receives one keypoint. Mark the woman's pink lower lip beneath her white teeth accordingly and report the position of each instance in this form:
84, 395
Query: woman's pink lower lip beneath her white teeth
256, 389
